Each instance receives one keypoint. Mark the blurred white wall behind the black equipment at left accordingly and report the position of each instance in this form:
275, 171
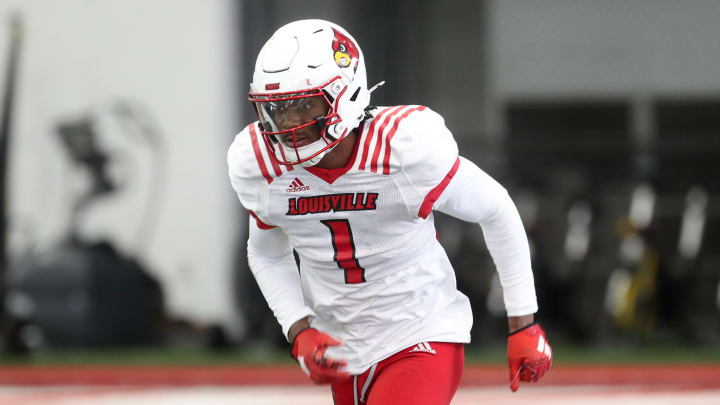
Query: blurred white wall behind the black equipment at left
175, 57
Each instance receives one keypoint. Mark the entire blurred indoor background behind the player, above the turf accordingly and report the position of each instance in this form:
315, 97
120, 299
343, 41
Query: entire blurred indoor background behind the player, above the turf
119, 227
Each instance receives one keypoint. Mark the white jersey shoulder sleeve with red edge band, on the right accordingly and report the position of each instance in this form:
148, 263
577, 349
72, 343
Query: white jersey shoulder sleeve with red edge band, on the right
428, 158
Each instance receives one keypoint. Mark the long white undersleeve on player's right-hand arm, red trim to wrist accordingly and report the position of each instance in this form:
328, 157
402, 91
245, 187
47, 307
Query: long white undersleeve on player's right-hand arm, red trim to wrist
474, 196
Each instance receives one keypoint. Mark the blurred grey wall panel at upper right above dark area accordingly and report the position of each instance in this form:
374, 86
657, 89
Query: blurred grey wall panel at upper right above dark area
559, 49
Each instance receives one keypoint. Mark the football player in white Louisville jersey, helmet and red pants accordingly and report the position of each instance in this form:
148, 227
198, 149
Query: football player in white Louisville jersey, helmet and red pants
373, 308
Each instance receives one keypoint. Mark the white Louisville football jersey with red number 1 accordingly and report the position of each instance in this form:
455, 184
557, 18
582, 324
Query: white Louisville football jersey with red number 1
371, 266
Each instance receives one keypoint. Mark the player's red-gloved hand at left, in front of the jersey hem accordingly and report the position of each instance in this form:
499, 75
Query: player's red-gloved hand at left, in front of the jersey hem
309, 350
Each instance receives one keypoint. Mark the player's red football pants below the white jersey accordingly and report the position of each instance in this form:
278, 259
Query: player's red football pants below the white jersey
423, 374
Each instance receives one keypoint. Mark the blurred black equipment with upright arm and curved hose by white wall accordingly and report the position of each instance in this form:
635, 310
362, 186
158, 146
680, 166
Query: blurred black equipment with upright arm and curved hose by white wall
84, 293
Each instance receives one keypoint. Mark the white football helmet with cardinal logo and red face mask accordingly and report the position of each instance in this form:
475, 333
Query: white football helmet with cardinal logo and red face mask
304, 59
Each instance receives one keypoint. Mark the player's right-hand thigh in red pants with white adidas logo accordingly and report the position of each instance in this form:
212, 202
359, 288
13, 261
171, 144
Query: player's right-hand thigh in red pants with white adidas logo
421, 378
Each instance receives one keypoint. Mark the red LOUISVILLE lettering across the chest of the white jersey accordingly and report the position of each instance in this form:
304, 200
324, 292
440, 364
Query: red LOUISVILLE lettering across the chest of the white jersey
317, 204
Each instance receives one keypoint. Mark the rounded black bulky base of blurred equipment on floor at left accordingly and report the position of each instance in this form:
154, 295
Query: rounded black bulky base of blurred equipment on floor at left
84, 294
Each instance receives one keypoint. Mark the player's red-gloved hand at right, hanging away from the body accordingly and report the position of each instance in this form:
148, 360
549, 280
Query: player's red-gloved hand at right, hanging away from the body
529, 355
